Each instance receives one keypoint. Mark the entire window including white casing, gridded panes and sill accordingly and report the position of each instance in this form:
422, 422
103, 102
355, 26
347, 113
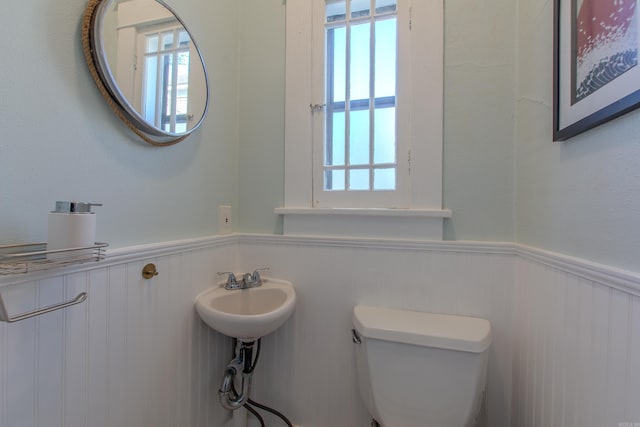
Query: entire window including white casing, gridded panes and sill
363, 117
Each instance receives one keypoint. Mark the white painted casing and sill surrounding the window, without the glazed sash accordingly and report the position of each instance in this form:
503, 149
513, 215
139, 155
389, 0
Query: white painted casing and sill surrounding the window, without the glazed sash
419, 123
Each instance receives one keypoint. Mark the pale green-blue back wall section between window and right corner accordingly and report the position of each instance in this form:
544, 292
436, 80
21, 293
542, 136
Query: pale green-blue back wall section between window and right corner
479, 87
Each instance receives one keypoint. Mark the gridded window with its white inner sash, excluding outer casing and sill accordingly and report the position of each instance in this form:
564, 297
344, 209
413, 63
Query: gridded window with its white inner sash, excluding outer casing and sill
359, 161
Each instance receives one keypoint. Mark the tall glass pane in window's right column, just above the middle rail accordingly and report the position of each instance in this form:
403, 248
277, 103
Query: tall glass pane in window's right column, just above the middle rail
385, 57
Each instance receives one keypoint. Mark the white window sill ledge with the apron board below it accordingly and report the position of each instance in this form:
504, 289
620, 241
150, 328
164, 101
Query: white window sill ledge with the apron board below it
423, 224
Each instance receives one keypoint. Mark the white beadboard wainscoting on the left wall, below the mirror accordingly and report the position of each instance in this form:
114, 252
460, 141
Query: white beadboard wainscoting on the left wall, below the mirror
133, 355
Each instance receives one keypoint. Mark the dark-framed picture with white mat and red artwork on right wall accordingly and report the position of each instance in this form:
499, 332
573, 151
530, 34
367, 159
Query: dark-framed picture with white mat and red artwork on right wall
596, 70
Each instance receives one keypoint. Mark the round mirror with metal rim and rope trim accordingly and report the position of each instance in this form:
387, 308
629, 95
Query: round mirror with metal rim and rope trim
147, 66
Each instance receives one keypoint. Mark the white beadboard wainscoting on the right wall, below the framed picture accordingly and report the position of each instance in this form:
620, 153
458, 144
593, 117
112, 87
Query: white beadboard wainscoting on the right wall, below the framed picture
576, 343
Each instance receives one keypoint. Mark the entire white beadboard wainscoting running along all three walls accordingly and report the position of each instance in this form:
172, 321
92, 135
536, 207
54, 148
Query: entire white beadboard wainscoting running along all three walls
566, 340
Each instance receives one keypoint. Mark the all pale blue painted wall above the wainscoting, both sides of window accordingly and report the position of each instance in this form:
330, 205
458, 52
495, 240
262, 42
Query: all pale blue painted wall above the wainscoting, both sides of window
503, 177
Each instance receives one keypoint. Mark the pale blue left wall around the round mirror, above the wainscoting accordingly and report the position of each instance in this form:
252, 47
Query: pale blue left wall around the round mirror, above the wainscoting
60, 141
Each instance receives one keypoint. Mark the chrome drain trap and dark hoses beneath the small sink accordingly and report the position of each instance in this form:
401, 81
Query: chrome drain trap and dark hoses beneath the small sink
243, 363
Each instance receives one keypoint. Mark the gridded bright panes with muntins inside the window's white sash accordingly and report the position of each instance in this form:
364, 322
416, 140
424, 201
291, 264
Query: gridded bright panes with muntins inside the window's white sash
360, 149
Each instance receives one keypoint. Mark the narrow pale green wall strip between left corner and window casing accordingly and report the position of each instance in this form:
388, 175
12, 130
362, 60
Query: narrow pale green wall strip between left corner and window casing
261, 115
